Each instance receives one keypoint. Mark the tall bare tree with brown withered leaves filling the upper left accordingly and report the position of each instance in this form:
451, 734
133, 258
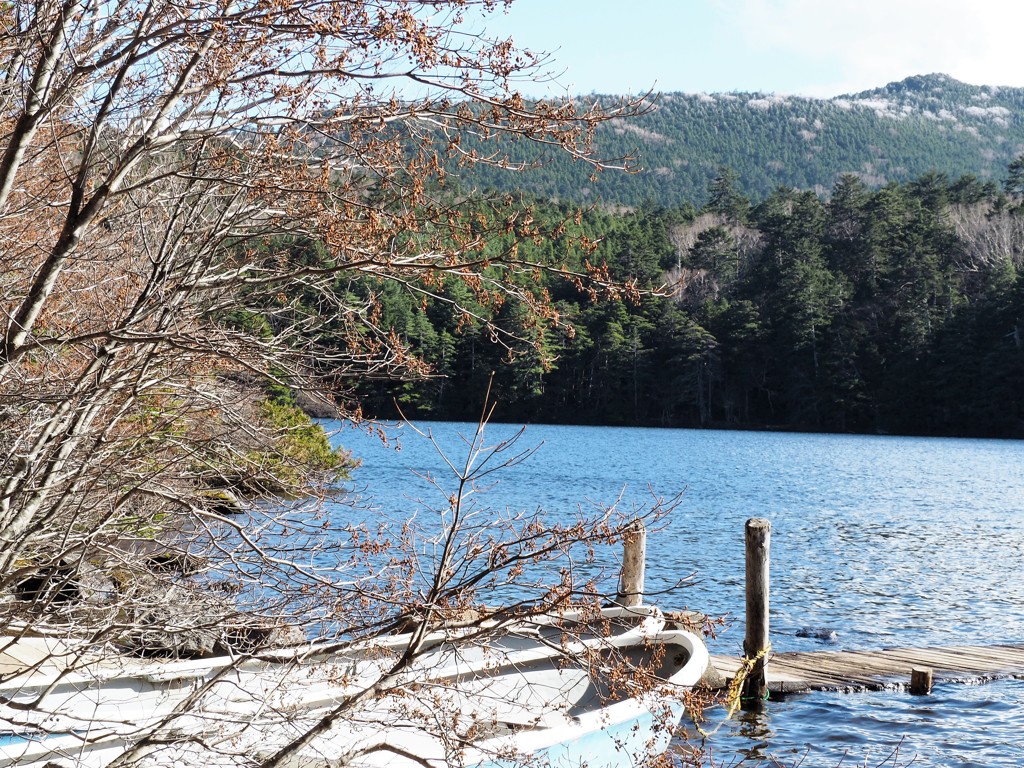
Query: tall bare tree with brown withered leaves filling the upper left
154, 155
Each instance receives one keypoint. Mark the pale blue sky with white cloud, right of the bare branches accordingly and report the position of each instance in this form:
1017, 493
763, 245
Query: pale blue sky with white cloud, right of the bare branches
798, 48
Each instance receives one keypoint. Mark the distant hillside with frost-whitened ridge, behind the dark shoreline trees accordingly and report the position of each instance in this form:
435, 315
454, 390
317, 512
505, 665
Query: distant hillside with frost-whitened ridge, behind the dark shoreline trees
895, 134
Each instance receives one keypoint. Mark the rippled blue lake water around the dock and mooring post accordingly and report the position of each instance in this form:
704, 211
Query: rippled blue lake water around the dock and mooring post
887, 541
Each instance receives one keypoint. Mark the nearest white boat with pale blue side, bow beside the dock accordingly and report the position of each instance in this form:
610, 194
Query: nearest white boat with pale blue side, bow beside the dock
543, 712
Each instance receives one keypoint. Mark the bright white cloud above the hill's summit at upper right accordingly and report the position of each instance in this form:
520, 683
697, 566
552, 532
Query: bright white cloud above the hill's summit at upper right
872, 42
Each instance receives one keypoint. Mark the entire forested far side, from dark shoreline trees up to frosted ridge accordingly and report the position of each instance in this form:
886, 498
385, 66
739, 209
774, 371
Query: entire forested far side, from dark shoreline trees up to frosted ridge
851, 265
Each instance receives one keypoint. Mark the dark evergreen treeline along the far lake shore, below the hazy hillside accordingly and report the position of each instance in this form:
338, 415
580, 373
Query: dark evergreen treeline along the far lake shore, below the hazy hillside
898, 311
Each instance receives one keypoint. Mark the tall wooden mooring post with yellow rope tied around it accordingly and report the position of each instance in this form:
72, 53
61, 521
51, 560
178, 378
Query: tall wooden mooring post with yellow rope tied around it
758, 540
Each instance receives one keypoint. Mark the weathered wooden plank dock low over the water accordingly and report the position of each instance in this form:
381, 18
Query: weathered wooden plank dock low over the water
880, 670
